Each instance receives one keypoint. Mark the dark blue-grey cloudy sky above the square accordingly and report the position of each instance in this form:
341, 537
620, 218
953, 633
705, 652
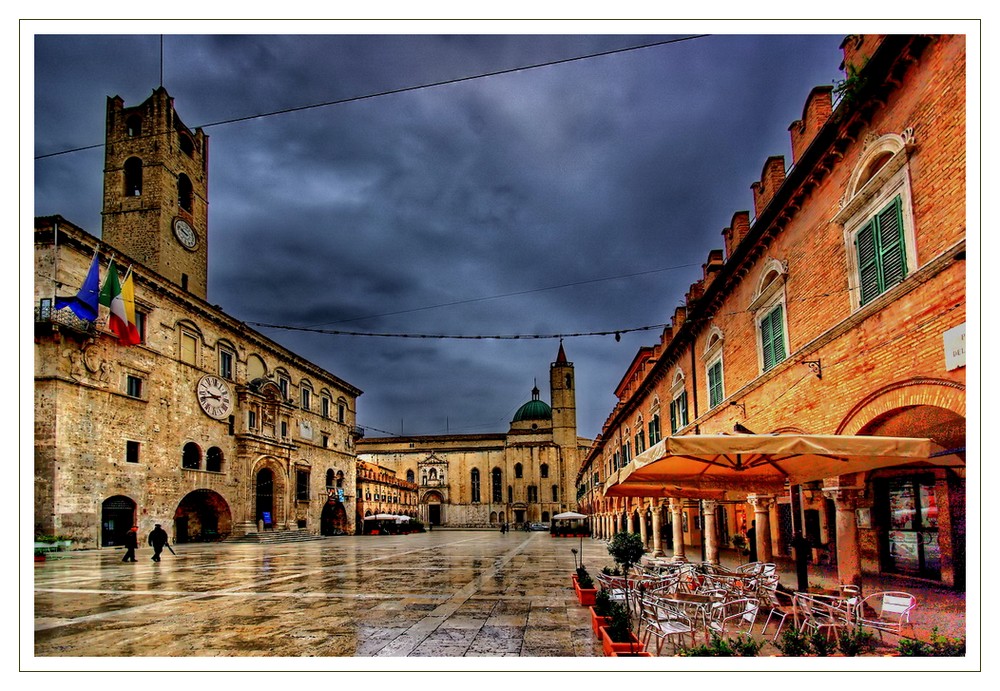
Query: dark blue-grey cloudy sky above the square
578, 197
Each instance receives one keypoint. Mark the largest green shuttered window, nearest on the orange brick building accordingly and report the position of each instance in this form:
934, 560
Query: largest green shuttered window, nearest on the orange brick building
881, 252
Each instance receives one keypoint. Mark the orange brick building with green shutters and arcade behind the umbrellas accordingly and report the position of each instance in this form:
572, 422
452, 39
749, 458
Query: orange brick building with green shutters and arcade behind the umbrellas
839, 308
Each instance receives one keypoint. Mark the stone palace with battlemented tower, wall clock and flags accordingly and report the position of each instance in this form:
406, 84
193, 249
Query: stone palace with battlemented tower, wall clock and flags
201, 423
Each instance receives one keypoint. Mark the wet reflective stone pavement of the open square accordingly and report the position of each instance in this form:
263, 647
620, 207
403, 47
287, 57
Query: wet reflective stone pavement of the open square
439, 594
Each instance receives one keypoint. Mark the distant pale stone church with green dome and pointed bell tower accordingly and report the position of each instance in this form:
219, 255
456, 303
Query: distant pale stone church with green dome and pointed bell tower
523, 476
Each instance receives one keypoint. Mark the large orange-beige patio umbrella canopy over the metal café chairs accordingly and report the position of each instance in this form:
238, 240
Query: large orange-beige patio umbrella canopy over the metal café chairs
764, 463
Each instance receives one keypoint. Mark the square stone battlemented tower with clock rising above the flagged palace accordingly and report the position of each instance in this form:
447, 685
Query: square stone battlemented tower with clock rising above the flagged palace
156, 190
